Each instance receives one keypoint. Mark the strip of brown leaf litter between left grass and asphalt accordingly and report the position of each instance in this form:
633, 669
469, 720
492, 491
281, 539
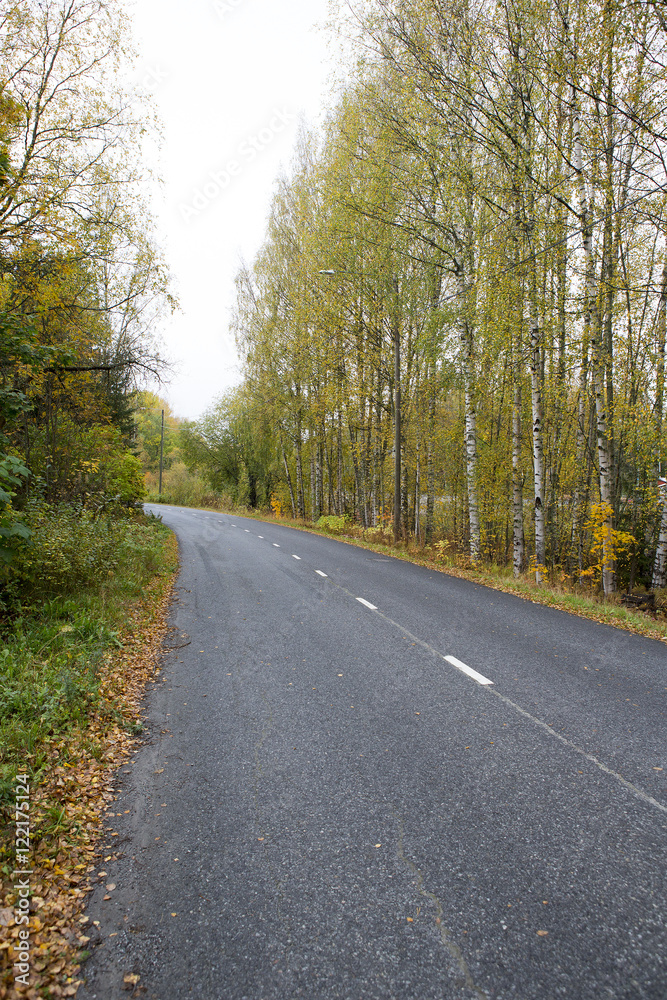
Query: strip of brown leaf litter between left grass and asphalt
79, 778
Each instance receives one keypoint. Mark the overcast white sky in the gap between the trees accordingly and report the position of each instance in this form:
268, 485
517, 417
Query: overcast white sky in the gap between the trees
229, 79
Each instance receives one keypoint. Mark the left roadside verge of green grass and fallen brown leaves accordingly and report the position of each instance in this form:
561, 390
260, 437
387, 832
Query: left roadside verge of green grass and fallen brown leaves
73, 670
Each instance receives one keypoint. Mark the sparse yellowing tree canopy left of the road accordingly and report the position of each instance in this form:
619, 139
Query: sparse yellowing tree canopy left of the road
82, 282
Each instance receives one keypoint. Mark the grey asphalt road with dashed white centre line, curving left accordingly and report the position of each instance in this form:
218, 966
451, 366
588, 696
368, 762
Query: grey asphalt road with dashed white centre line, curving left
327, 807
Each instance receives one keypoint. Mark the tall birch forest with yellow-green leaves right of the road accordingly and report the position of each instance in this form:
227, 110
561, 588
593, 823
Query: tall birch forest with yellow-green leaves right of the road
470, 262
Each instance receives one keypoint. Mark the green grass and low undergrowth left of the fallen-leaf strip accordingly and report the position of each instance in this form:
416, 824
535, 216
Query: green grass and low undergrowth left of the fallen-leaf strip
57, 633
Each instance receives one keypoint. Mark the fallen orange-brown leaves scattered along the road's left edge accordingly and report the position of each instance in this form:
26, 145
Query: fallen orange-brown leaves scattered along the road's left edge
85, 783
